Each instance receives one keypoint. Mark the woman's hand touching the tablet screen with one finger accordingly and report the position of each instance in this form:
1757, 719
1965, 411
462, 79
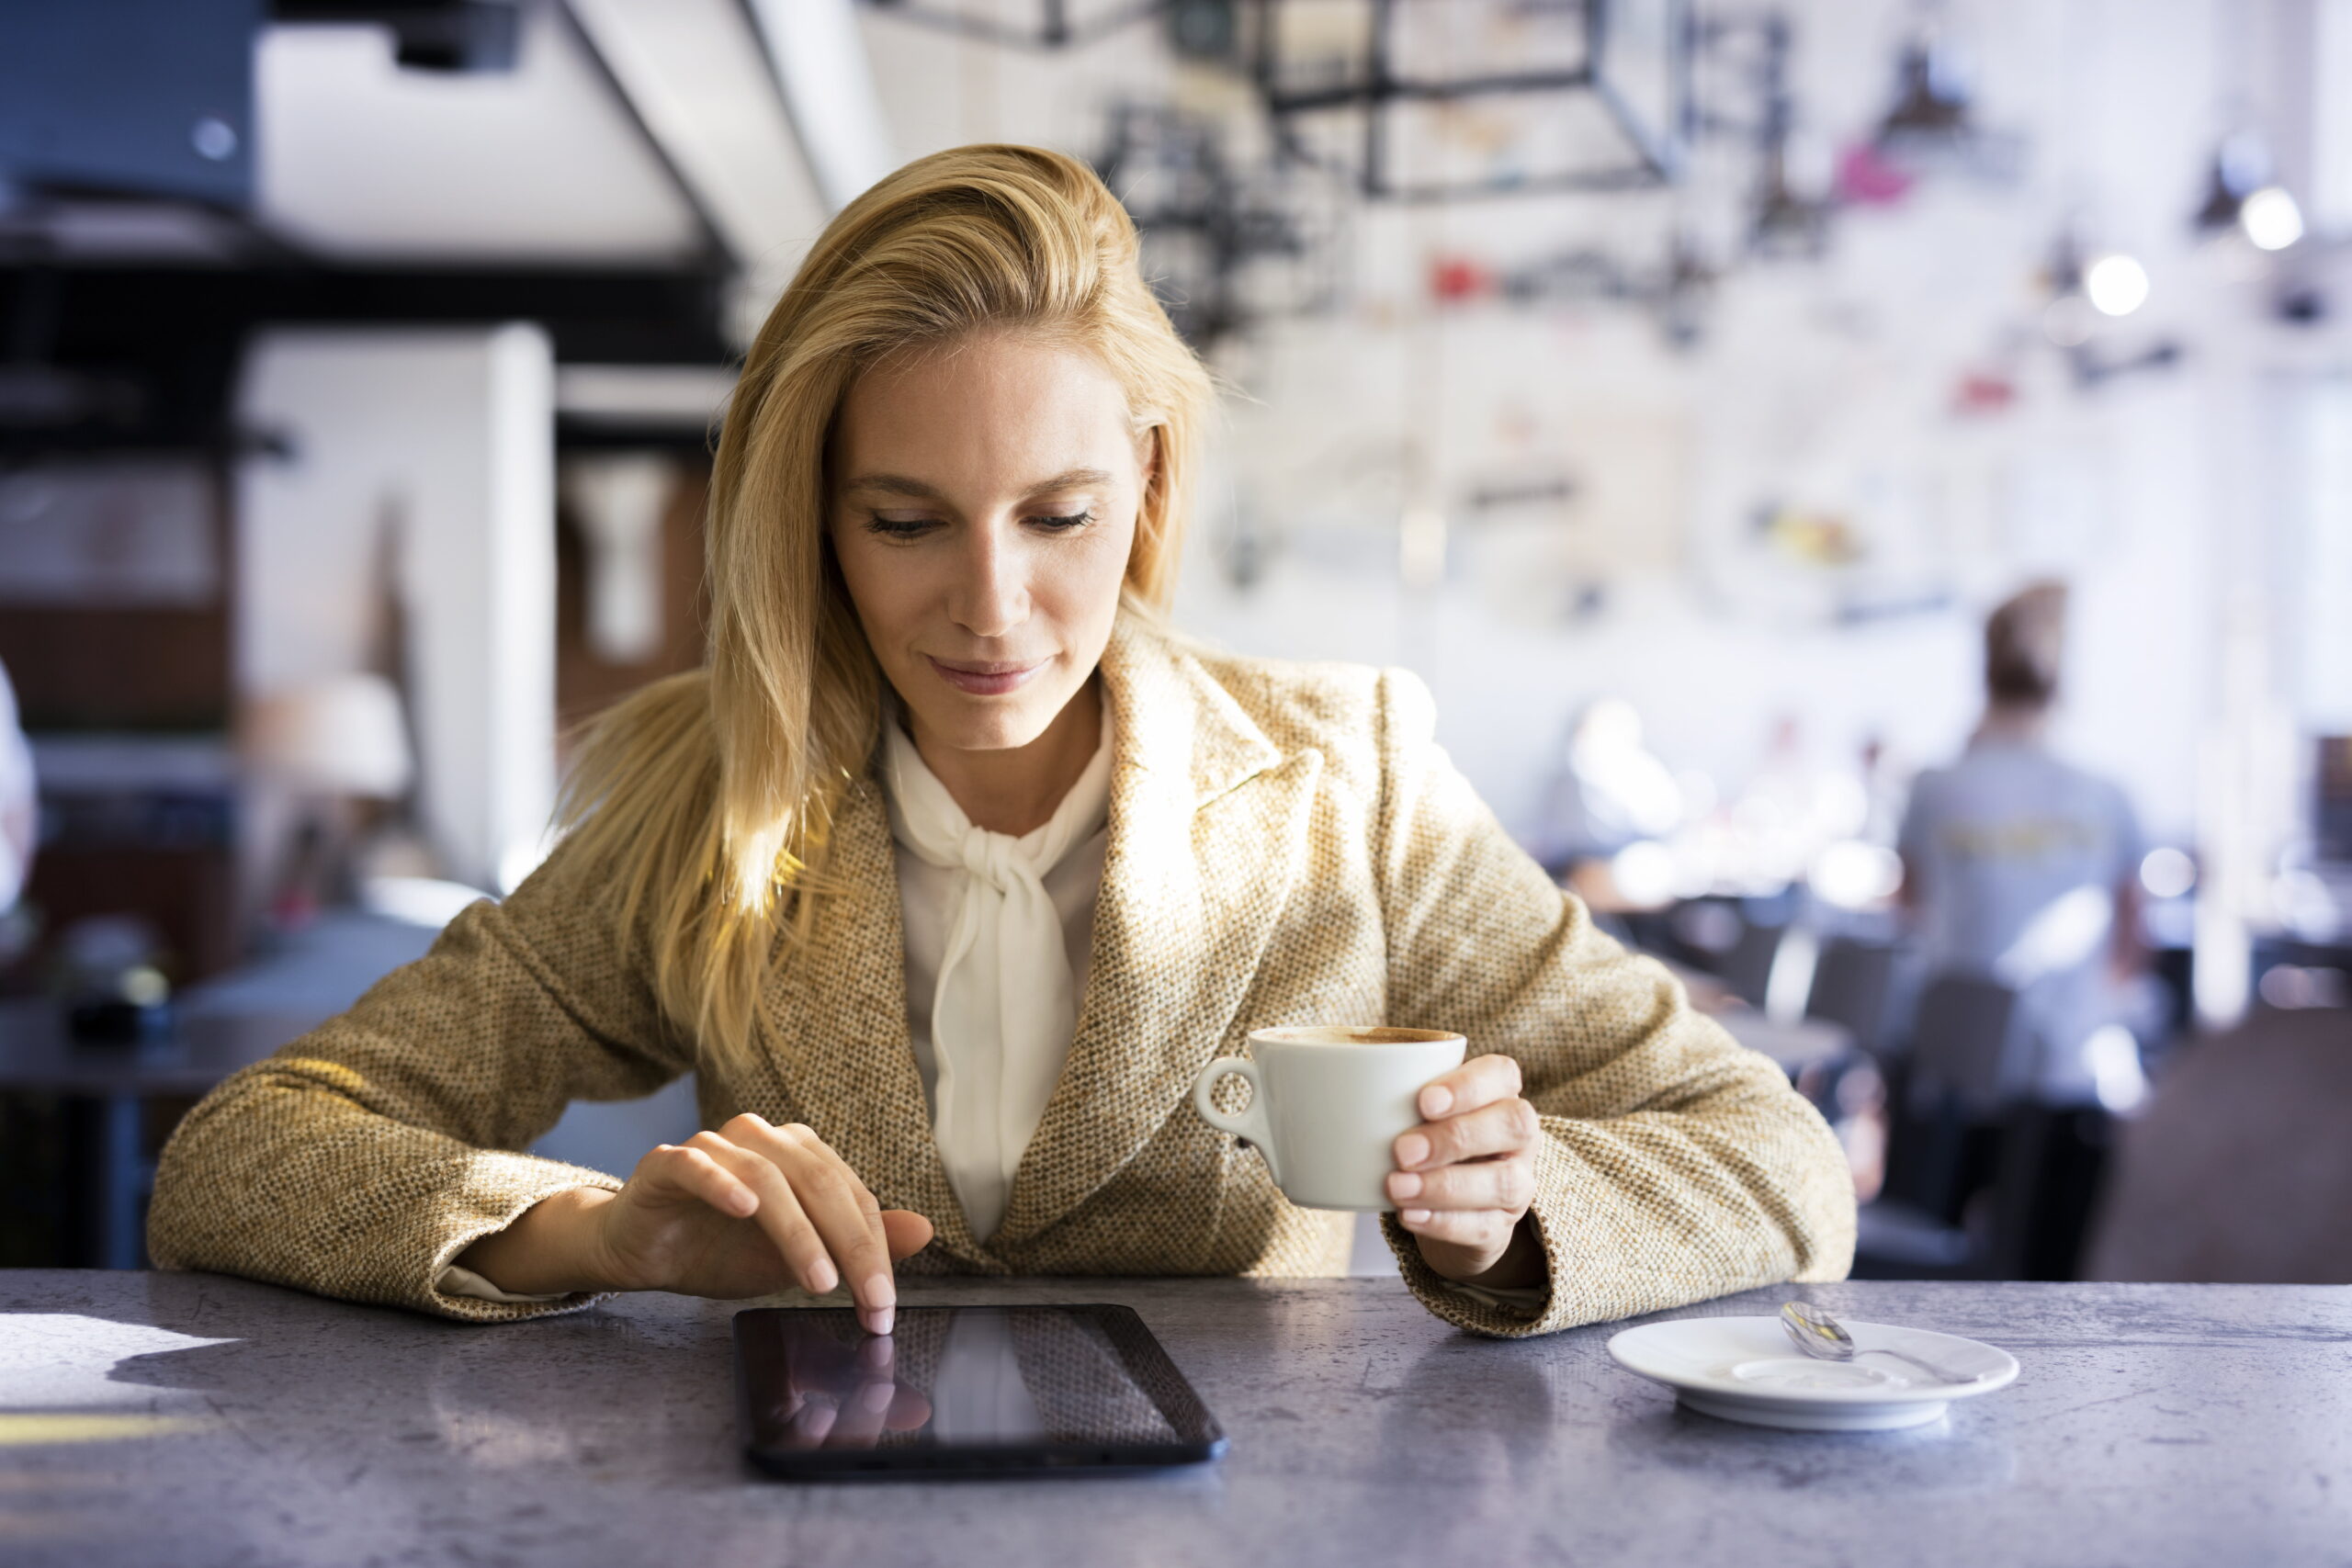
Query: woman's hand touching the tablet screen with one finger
742, 1212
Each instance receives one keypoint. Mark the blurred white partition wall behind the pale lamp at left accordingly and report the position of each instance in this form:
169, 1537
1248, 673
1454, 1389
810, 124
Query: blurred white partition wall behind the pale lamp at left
448, 441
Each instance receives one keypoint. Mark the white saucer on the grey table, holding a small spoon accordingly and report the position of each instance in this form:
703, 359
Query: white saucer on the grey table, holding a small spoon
1746, 1369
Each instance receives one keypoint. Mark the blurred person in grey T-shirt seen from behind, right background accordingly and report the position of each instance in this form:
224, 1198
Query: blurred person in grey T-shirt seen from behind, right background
2024, 869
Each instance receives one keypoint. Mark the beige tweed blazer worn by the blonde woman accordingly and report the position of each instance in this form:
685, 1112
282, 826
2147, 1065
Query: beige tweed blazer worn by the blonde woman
1288, 845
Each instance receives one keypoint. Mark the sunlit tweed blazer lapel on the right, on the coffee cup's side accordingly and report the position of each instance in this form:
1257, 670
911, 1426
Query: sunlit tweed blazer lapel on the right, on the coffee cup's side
1208, 833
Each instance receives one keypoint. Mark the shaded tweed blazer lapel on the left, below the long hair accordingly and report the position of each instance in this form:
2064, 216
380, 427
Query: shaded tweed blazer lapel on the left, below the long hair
843, 1057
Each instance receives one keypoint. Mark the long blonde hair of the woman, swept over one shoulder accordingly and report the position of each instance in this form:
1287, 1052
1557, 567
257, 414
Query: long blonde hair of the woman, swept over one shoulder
707, 800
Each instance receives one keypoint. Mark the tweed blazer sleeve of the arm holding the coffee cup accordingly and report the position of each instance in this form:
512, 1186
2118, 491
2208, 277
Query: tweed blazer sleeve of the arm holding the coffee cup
1676, 1165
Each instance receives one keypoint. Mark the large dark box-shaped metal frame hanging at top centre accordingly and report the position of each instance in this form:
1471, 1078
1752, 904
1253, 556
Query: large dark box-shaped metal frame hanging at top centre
1655, 152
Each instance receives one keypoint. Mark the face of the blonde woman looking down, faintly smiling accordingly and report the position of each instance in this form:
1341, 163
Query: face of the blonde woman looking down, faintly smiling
984, 504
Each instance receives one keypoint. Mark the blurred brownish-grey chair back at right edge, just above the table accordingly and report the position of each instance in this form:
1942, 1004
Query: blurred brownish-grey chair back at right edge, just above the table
2240, 1170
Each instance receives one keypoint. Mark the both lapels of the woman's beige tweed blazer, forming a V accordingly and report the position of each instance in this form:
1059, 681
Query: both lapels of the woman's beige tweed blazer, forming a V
1208, 831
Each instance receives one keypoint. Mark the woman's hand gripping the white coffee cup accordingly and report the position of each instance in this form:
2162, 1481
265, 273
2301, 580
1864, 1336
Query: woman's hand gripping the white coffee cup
1466, 1177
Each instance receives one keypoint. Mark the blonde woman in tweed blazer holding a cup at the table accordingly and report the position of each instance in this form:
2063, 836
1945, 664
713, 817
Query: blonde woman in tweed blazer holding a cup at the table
956, 866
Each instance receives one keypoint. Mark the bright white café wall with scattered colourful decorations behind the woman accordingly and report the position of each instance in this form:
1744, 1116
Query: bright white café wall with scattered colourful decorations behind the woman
1819, 384
